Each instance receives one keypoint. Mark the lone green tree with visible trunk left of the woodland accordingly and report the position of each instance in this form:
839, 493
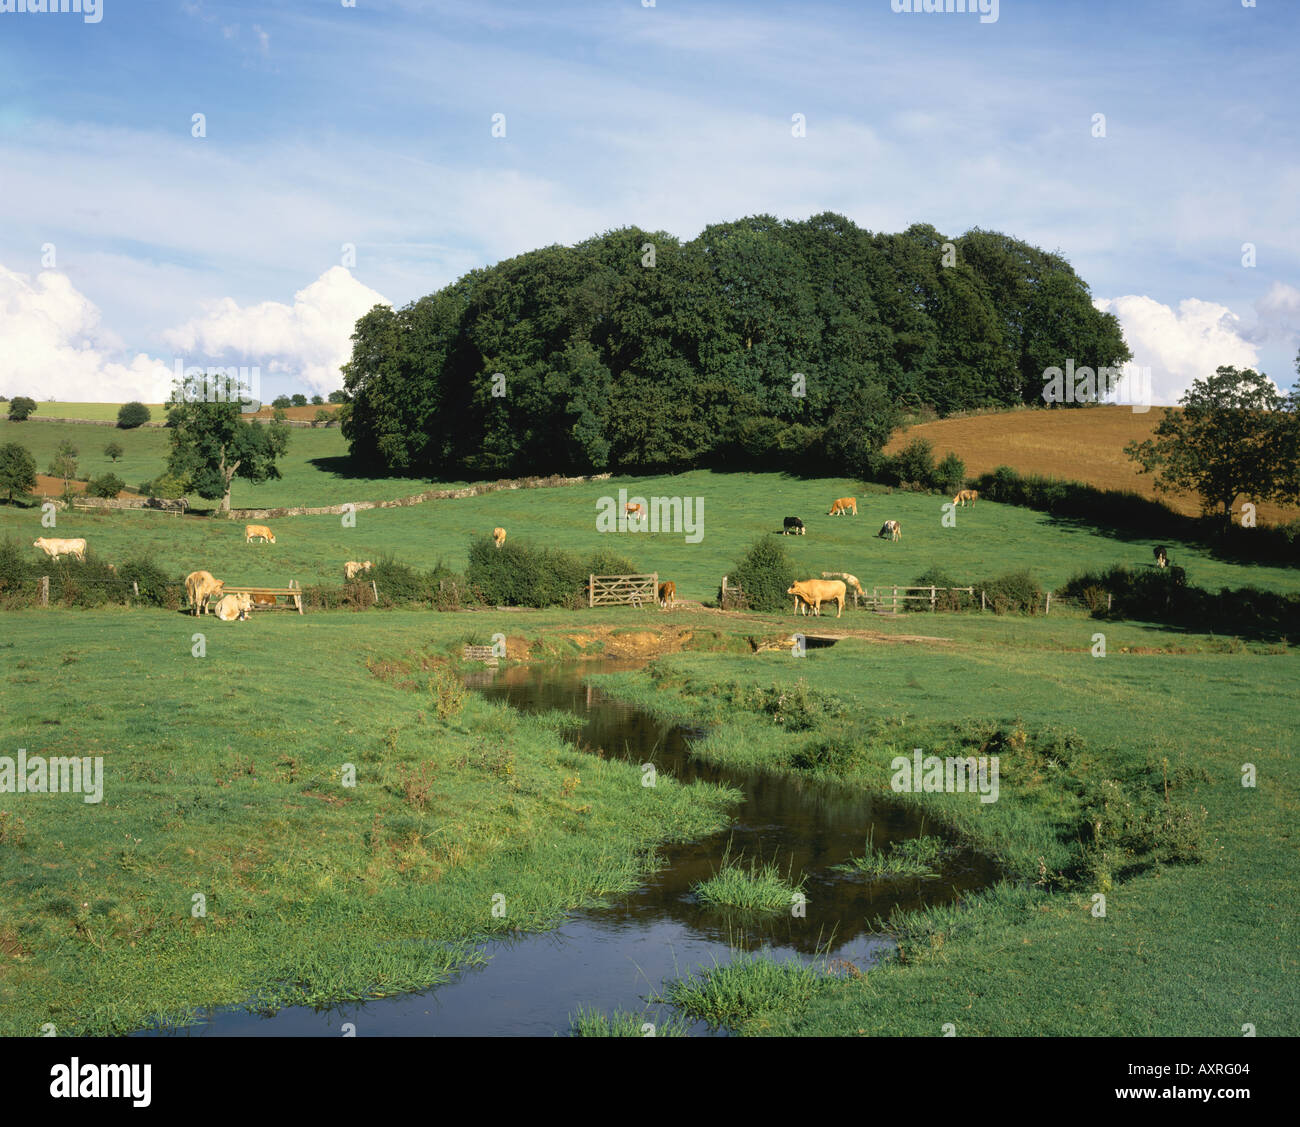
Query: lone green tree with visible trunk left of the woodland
214, 444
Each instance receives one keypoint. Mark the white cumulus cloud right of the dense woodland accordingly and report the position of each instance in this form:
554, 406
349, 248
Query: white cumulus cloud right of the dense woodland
1181, 345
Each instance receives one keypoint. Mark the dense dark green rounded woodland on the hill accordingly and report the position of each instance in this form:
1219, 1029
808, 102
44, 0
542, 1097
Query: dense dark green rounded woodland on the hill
612, 363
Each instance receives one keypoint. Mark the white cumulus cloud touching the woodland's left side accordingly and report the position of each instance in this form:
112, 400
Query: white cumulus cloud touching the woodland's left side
311, 339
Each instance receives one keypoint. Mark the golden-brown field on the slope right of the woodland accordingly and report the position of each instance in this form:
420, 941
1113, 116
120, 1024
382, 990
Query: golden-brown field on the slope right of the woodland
1084, 445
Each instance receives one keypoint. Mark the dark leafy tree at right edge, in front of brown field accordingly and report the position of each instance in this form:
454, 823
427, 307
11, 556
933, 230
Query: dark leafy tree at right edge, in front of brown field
1234, 436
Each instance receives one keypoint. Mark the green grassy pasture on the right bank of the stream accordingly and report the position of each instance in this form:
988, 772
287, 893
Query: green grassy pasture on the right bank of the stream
1184, 948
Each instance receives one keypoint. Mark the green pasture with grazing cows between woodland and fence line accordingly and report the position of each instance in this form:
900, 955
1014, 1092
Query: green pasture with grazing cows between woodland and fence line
736, 509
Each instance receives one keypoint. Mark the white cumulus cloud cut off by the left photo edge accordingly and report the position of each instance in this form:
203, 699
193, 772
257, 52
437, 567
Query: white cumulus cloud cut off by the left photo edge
53, 345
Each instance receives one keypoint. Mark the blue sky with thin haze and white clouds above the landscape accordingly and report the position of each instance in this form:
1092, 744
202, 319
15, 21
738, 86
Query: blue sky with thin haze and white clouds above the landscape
353, 154
